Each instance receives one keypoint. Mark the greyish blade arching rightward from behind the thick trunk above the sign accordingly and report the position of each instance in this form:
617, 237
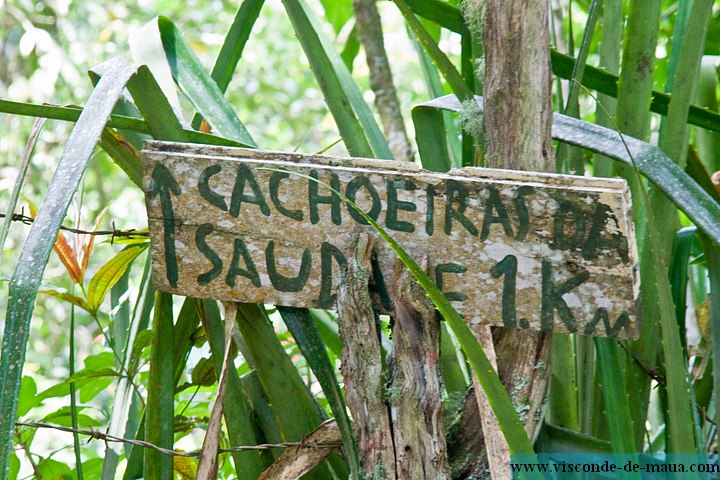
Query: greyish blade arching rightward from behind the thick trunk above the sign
652, 163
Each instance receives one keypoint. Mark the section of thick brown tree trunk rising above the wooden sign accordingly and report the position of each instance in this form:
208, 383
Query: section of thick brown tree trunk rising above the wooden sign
518, 113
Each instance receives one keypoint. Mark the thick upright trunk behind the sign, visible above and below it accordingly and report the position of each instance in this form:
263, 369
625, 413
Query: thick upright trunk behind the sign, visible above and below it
518, 122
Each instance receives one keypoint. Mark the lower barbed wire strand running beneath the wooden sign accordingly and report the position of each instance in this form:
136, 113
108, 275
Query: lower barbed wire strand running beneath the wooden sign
98, 435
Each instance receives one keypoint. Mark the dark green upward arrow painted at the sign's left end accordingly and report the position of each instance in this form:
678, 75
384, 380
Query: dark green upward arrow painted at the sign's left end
164, 184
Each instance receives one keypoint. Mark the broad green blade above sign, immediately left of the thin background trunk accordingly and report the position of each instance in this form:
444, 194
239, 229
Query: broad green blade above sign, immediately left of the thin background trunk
355, 121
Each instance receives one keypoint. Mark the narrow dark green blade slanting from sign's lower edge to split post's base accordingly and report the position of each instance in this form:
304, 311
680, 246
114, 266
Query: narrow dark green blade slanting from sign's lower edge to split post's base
306, 335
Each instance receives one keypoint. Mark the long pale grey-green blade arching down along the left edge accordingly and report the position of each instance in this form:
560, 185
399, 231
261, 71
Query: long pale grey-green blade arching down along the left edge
25, 281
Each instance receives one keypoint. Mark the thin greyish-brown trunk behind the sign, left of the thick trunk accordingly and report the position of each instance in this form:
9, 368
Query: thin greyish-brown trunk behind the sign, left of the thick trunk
369, 28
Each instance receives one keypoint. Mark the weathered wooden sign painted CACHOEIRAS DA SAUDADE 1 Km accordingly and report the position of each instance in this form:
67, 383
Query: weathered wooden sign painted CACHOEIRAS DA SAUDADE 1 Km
521, 250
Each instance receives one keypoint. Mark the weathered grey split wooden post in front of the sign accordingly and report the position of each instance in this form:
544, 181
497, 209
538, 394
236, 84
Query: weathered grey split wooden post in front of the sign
400, 430
